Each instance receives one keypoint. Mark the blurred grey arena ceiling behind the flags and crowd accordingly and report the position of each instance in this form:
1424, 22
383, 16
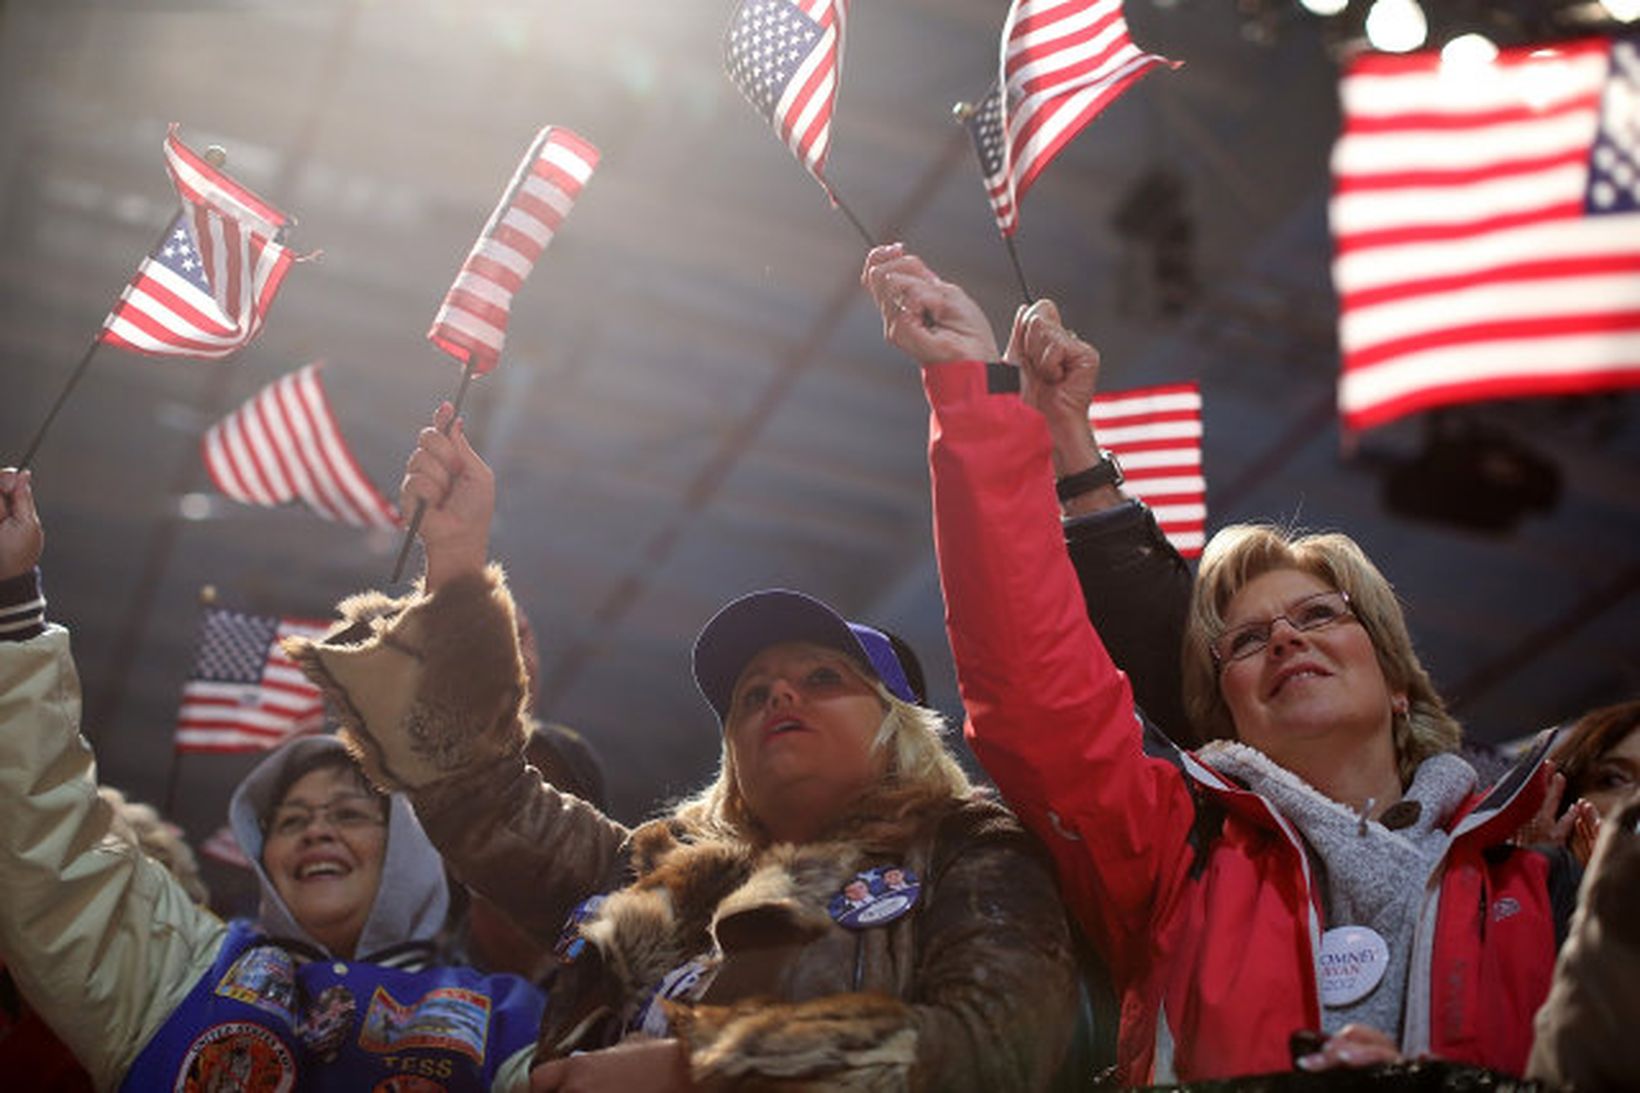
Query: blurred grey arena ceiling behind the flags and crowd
696, 400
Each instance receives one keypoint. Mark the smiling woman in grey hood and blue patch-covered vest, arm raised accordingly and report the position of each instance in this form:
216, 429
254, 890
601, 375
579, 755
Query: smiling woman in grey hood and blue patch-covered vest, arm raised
334, 986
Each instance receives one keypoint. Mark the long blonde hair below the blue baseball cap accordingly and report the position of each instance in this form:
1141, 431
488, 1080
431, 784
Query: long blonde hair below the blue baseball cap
919, 767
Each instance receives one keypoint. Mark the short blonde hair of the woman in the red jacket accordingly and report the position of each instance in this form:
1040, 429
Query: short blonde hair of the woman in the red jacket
1246, 552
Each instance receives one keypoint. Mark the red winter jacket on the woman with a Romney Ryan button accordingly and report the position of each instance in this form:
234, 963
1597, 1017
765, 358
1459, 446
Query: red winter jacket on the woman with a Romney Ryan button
1196, 890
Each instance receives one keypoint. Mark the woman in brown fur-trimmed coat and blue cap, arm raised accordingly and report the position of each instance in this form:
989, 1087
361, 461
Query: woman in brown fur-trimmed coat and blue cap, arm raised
837, 910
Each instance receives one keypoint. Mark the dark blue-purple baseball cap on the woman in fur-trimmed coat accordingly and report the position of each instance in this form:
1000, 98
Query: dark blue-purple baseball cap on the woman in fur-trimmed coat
757, 621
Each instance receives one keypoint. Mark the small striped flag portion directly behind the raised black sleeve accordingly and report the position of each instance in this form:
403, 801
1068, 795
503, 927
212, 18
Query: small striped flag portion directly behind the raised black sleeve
1157, 436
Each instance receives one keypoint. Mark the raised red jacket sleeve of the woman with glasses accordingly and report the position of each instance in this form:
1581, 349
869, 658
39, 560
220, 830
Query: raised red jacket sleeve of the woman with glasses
1049, 715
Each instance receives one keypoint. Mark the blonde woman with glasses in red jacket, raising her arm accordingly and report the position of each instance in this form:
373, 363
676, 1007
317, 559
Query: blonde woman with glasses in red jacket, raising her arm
1326, 866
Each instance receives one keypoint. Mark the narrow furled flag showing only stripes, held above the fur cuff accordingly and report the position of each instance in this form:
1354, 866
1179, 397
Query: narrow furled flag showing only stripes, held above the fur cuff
471, 324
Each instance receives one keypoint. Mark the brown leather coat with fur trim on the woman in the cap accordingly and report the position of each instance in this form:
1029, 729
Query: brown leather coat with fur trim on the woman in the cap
972, 989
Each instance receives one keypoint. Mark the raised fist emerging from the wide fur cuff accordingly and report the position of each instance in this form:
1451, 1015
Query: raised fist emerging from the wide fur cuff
460, 495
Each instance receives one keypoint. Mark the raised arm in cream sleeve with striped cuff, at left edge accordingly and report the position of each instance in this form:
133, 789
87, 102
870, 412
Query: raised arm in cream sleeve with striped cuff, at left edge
101, 938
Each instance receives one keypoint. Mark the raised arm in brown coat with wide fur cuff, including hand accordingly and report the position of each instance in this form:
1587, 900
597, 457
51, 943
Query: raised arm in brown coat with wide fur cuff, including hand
432, 693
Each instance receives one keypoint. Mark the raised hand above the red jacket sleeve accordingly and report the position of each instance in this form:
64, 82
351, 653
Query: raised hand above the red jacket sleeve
931, 319
